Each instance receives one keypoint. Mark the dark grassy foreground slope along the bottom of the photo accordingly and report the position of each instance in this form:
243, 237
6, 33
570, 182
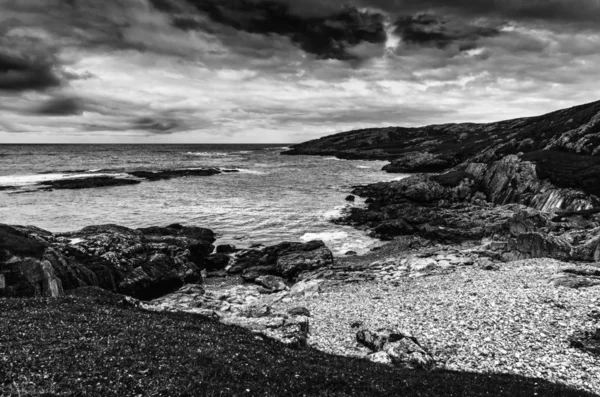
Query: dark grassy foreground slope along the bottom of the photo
90, 344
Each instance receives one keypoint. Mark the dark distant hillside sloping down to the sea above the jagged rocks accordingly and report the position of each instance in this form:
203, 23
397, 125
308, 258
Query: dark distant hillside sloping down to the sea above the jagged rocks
564, 145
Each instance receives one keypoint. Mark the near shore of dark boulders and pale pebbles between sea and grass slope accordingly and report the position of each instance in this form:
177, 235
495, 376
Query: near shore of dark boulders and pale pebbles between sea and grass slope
380, 306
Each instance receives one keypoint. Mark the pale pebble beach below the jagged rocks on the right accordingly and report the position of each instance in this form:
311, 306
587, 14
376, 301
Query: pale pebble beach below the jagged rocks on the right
507, 321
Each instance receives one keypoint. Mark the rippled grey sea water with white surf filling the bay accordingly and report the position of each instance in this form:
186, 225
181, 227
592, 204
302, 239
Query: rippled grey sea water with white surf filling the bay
272, 198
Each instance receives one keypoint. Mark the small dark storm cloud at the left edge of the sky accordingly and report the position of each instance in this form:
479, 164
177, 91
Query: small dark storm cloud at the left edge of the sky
19, 73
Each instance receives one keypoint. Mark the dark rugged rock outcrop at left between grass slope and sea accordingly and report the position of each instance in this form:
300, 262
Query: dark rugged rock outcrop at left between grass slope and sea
143, 263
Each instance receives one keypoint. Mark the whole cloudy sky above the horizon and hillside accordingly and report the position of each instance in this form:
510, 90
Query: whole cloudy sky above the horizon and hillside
284, 71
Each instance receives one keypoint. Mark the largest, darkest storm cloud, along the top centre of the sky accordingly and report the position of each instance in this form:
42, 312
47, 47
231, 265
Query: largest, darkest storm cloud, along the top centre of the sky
327, 37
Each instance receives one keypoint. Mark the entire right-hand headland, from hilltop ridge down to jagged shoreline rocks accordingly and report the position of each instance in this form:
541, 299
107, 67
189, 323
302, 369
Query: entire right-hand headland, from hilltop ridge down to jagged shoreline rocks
530, 186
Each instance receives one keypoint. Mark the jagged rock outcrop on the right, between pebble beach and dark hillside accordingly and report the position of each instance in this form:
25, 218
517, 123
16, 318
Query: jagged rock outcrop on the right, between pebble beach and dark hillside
504, 202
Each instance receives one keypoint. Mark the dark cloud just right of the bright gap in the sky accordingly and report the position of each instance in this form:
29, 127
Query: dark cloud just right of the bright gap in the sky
430, 30
